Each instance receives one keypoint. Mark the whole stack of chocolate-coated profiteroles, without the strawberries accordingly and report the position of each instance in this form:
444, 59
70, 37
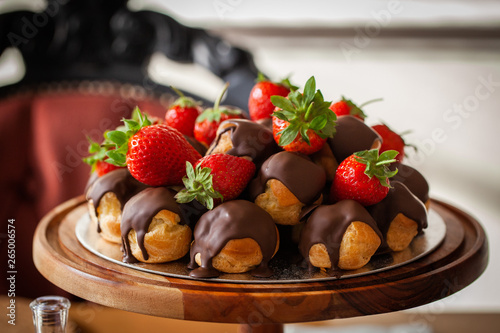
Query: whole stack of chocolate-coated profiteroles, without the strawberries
288, 202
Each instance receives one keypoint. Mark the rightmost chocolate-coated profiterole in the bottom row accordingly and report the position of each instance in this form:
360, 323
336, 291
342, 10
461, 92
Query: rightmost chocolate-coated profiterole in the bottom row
400, 216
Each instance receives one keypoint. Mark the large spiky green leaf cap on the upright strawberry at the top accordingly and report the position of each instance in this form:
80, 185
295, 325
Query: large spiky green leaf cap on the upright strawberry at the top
304, 111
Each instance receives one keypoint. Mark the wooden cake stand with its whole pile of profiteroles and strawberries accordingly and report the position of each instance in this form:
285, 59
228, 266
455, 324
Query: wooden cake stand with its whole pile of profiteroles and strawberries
301, 213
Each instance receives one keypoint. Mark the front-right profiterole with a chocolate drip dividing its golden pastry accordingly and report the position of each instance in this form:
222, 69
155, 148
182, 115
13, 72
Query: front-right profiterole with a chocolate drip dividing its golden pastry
342, 235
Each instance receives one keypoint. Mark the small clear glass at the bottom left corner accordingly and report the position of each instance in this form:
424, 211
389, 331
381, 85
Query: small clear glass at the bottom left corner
50, 314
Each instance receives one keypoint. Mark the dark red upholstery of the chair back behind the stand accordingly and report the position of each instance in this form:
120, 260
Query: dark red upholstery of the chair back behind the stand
42, 143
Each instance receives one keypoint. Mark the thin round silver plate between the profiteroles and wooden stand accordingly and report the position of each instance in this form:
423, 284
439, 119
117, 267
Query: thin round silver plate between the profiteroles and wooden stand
287, 266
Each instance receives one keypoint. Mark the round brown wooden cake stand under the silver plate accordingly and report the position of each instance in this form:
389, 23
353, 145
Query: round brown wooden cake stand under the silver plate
456, 263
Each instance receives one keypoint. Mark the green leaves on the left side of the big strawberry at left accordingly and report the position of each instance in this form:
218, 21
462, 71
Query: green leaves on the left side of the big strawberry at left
117, 146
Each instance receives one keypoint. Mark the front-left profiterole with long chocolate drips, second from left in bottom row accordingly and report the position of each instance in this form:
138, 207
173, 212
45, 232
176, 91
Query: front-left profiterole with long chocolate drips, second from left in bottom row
153, 229
